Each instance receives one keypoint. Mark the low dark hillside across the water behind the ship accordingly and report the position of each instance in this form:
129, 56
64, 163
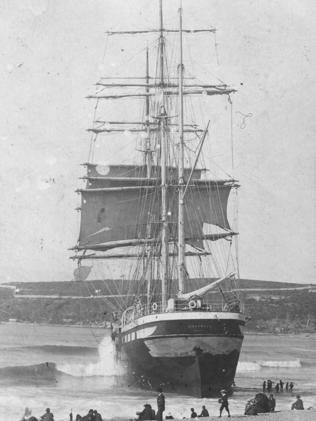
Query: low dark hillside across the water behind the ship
267, 310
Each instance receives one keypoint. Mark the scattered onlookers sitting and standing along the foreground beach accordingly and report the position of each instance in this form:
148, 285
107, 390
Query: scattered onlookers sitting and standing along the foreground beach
260, 403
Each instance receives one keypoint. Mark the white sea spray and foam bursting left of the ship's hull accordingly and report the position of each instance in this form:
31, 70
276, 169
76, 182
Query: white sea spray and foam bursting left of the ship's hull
106, 366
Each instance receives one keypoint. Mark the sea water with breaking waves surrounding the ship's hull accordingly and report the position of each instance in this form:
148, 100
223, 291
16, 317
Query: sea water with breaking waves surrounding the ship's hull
69, 368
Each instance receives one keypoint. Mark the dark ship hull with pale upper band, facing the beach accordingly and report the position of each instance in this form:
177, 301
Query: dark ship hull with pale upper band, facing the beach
194, 354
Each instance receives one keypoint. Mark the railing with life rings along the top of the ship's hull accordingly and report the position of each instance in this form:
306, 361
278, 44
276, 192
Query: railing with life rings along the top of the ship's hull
139, 310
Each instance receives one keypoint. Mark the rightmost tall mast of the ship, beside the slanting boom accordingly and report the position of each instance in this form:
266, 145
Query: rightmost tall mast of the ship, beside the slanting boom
181, 242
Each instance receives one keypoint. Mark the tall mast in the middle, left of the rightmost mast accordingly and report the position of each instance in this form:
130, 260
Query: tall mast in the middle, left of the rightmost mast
163, 163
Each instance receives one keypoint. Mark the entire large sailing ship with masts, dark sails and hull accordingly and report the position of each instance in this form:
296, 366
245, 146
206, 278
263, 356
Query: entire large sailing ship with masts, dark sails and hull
165, 216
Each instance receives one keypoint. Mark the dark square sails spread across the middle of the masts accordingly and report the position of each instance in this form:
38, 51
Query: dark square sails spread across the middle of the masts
120, 206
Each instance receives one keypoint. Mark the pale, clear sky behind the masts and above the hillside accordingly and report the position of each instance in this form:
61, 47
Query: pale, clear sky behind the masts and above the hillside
53, 52
